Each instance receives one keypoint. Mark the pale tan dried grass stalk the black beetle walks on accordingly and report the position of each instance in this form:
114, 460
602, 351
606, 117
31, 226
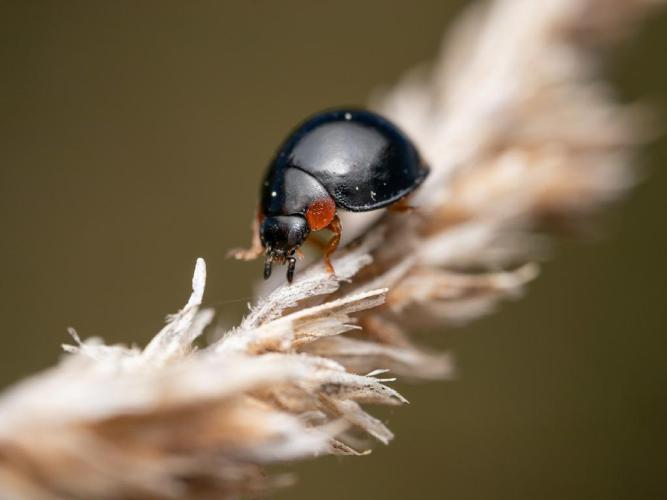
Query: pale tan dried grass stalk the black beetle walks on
522, 137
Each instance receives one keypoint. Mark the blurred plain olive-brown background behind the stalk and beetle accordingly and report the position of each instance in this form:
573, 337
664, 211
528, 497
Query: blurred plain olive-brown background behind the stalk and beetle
132, 139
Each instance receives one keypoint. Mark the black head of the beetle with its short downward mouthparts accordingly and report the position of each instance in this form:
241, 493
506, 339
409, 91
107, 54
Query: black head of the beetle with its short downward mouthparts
281, 235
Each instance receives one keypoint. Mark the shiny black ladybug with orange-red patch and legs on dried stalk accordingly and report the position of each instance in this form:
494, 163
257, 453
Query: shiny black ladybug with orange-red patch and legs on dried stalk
344, 159
